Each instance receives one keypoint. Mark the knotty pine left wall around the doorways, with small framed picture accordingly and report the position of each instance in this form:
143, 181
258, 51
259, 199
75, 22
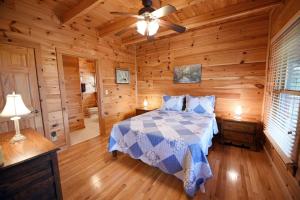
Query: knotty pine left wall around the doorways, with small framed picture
33, 21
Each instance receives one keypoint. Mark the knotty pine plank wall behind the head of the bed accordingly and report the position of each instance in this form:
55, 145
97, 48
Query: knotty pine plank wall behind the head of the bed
233, 58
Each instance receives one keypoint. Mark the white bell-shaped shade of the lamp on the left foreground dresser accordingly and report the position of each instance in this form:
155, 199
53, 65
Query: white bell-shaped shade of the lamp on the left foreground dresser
14, 106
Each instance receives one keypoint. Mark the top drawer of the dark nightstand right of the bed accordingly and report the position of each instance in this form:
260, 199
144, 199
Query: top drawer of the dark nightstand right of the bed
239, 127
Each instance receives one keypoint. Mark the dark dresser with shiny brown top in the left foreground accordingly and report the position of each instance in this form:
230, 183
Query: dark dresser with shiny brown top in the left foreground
30, 169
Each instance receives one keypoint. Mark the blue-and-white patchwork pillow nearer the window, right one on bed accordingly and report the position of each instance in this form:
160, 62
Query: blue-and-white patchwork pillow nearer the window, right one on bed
205, 104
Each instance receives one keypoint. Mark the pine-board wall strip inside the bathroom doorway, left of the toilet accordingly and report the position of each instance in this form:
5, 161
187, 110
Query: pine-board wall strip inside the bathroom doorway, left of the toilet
73, 96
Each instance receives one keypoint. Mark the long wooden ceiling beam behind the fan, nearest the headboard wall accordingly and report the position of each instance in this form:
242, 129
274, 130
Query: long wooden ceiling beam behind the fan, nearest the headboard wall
218, 16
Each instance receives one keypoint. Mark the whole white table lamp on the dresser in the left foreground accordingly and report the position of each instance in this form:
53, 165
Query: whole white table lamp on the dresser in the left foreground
15, 108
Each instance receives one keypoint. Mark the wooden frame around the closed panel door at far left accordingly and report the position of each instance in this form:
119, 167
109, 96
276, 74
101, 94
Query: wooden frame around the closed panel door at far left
39, 76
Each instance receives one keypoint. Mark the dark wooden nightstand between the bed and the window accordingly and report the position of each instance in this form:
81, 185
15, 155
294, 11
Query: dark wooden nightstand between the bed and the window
243, 132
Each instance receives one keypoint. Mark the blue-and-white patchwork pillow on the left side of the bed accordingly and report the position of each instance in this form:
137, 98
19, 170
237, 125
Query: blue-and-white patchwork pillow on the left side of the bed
173, 103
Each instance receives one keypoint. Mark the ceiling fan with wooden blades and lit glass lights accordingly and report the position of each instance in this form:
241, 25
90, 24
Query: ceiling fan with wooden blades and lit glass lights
148, 20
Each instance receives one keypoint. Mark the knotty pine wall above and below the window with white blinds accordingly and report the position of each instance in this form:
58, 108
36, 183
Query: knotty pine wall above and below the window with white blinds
279, 18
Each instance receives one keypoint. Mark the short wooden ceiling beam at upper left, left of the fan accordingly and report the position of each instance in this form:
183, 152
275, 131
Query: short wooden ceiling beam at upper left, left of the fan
83, 7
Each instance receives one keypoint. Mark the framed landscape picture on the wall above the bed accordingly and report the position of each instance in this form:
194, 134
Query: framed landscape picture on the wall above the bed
187, 74
